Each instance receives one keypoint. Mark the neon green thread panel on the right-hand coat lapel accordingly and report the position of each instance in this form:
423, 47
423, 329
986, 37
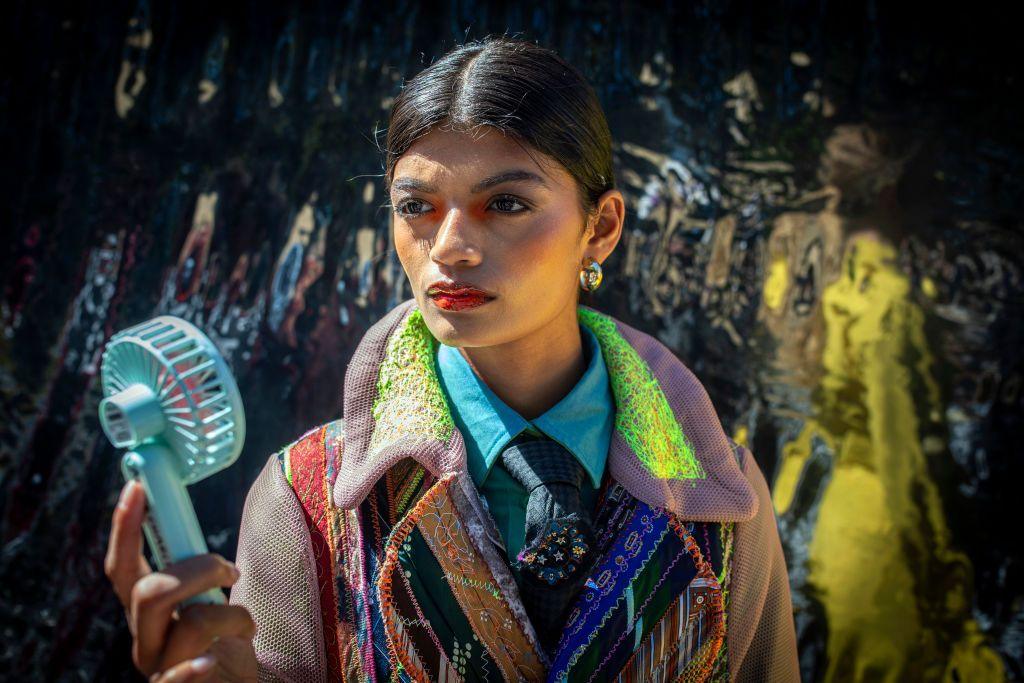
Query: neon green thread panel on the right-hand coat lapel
644, 416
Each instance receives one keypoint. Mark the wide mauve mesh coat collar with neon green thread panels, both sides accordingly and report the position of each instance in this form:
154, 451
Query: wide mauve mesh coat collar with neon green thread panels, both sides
668, 449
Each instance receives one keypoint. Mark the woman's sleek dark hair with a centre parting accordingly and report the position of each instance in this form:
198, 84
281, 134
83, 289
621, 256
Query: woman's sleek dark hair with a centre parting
525, 91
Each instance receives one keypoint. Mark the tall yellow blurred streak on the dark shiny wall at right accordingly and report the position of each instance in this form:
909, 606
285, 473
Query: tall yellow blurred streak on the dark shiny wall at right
895, 590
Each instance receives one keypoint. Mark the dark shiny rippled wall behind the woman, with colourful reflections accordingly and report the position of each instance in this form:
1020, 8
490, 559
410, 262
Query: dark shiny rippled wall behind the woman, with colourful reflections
824, 223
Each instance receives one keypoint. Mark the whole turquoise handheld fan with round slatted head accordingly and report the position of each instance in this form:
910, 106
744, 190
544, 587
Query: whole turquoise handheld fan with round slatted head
172, 401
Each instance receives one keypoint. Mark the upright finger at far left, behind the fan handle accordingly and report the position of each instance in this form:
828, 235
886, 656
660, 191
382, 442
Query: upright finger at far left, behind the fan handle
124, 563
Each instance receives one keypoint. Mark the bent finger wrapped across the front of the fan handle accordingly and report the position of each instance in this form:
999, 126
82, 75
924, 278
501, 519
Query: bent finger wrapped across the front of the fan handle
155, 597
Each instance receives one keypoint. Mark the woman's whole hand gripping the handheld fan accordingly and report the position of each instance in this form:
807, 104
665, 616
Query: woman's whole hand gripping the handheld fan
202, 643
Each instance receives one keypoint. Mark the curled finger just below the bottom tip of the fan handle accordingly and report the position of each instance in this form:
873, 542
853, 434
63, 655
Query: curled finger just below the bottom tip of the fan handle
199, 626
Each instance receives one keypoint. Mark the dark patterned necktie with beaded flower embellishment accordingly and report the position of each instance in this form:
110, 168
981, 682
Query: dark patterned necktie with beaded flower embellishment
558, 552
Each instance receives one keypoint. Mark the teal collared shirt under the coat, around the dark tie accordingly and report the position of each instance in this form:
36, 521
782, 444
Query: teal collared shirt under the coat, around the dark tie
582, 422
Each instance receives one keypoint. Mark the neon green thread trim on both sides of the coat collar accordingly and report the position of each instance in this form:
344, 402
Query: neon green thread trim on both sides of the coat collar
410, 401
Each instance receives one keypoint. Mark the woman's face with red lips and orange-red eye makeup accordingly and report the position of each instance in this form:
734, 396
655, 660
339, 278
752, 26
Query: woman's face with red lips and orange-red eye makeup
492, 242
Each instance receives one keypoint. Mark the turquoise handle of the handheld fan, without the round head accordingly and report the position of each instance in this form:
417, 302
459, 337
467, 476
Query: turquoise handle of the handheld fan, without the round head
172, 528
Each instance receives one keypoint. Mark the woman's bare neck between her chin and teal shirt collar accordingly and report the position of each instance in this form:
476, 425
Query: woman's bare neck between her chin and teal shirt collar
535, 372
